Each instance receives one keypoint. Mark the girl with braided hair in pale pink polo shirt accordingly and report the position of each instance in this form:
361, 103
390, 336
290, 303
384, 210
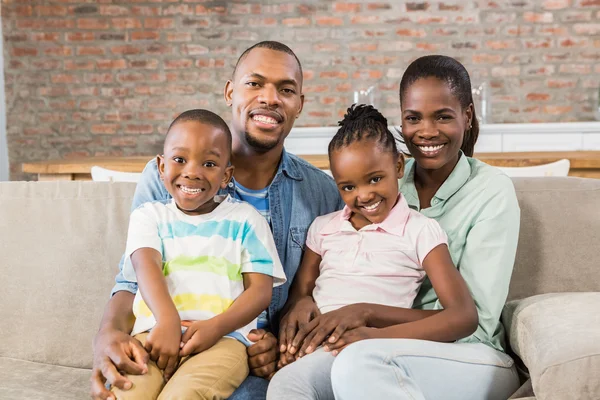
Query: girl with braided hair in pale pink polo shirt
376, 250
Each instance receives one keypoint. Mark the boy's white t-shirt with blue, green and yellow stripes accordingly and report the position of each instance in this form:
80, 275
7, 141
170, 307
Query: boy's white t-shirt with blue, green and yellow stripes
204, 257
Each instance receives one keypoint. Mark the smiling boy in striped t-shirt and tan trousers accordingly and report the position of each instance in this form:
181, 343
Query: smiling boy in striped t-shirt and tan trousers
205, 265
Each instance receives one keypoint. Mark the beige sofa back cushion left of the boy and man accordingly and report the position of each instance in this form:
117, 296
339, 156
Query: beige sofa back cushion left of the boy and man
60, 254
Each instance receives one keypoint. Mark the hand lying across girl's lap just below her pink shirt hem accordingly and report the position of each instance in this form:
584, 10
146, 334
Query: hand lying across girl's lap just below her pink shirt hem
330, 326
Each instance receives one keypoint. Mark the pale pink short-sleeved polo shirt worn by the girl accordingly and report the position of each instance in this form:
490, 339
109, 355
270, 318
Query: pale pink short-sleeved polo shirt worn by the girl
380, 263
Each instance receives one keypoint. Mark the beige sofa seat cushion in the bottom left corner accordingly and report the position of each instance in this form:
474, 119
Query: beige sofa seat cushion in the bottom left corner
35, 381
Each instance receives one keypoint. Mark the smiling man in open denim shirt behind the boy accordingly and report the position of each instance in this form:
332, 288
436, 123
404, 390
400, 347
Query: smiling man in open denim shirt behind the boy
265, 94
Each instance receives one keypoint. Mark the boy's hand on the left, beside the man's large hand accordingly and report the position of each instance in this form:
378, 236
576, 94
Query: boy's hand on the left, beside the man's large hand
162, 343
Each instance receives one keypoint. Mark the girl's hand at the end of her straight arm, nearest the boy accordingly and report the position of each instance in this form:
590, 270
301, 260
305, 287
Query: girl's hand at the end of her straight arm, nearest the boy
299, 315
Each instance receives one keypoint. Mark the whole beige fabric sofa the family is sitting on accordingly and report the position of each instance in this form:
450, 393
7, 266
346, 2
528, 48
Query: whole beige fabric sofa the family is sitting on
60, 243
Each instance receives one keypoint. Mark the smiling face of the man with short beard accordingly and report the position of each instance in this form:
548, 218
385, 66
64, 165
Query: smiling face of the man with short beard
266, 98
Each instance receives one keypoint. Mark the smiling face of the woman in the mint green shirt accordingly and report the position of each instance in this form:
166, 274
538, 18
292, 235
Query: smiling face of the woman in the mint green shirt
434, 123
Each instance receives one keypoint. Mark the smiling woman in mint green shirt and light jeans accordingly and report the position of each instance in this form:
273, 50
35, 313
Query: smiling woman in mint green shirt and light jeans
477, 207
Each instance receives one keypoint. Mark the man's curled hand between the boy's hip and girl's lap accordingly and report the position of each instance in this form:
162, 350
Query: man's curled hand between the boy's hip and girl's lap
262, 355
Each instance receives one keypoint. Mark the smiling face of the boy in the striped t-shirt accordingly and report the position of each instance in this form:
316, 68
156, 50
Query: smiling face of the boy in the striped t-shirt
194, 165
